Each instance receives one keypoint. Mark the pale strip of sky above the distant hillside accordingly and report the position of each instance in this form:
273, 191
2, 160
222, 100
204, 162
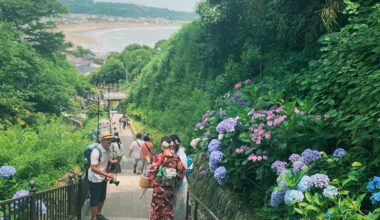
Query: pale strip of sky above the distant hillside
178, 5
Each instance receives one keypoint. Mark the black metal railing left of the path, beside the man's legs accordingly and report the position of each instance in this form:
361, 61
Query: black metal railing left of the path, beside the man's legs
61, 203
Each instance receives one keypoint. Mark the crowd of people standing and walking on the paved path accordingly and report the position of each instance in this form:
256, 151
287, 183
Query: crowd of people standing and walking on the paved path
166, 171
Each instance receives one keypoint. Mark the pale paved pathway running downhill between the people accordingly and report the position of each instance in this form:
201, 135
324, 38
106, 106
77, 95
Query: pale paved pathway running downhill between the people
123, 202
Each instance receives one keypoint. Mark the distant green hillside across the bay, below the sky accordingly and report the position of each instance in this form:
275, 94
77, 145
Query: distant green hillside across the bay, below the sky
124, 10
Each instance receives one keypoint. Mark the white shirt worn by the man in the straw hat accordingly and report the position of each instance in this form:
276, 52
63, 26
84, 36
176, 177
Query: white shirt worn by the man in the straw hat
102, 165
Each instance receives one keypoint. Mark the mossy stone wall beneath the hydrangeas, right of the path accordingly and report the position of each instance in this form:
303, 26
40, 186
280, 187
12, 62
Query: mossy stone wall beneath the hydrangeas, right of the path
224, 203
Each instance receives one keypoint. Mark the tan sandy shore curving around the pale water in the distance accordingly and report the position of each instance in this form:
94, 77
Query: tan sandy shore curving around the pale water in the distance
81, 33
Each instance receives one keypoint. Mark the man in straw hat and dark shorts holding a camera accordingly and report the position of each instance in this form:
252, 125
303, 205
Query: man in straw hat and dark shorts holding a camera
97, 175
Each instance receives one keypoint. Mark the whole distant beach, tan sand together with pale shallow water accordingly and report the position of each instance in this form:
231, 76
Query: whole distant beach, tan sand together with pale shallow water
106, 36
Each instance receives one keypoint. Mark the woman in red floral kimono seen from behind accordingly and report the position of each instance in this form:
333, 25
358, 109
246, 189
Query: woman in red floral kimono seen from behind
165, 172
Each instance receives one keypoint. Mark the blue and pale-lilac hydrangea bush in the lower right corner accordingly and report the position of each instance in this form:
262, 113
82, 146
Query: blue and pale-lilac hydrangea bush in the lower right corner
310, 193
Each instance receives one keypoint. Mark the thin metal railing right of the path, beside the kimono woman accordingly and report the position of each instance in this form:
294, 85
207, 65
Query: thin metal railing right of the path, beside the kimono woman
196, 209
